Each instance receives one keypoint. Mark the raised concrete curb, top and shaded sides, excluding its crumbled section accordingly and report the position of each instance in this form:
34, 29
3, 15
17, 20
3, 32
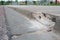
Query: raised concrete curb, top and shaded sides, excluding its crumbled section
52, 10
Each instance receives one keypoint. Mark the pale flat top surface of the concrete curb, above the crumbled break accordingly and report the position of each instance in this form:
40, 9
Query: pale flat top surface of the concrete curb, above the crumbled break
54, 10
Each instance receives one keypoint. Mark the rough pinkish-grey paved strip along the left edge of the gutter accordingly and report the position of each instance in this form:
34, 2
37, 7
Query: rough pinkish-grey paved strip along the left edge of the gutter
3, 30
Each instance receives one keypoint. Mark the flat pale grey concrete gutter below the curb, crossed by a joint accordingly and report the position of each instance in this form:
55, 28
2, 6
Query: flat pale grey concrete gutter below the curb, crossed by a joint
19, 24
